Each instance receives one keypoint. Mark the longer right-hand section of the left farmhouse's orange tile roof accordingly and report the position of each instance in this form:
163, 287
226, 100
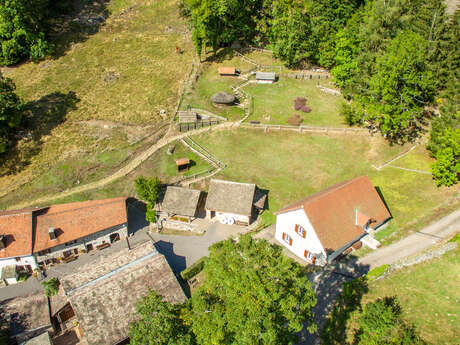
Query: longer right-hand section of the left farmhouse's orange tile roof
76, 220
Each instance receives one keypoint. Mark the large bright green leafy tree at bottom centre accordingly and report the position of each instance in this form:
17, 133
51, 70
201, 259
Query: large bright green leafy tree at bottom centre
252, 294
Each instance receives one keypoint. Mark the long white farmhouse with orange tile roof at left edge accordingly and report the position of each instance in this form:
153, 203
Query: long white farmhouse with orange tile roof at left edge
41, 236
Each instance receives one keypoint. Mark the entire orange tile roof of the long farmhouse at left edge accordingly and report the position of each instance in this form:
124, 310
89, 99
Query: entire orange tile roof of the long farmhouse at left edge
72, 221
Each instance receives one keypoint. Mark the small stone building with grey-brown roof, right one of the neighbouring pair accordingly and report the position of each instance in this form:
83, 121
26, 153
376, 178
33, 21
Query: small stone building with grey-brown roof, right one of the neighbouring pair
234, 202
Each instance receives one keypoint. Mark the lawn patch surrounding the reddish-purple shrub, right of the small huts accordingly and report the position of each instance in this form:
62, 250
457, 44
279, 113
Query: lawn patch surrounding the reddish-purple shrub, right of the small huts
274, 103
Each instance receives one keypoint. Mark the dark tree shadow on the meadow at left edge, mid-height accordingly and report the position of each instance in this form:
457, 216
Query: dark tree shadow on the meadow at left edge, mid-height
39, 119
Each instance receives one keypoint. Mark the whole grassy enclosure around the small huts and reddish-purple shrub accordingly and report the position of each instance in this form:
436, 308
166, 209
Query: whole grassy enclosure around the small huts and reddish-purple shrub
272, 103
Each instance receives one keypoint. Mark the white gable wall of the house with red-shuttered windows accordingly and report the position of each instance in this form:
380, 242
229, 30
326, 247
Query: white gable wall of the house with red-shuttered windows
286, 223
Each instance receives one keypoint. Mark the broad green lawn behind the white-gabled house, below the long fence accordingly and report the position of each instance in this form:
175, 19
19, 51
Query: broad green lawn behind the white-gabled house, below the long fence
292, 166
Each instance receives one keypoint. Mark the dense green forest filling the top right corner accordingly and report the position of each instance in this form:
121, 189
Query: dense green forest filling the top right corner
396, 61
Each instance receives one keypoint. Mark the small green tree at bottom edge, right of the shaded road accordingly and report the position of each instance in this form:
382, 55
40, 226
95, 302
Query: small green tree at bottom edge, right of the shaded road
381, 323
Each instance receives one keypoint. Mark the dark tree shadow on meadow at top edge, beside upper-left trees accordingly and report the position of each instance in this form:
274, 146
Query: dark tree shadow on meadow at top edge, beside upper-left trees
74, 22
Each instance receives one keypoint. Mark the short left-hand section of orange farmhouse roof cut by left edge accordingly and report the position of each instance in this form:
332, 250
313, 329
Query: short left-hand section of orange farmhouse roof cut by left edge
16, 226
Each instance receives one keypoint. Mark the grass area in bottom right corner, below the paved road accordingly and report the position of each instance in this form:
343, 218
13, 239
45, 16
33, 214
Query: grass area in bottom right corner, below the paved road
429, 297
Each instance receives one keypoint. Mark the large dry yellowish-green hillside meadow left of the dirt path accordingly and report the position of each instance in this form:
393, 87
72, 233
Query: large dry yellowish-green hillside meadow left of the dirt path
91, 106
